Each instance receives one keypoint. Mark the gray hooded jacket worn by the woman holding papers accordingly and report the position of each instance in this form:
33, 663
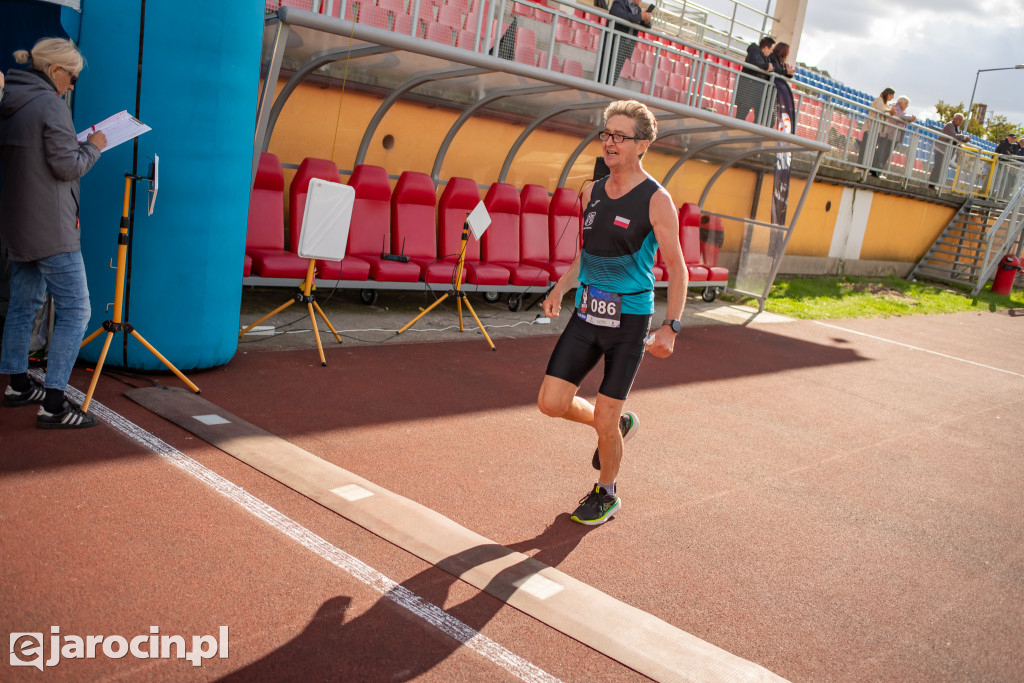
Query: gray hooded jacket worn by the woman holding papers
40, 166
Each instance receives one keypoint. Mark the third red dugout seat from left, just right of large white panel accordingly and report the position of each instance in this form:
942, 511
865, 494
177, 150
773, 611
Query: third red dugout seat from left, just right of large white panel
370, 235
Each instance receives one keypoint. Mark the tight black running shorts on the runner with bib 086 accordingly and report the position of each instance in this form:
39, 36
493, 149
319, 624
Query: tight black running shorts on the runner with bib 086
583, 345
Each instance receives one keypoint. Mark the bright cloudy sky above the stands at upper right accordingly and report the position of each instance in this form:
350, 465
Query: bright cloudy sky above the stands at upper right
928, 51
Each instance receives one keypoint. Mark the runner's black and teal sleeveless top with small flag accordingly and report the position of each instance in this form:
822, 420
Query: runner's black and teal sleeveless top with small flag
619, 246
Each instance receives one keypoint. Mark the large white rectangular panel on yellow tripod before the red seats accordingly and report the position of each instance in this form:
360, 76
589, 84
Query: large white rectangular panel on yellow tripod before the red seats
326, 221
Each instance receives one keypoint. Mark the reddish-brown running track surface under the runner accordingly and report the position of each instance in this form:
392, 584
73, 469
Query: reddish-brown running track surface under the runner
827, 504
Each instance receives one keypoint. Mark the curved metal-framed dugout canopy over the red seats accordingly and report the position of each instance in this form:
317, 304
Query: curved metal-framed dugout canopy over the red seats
302, 45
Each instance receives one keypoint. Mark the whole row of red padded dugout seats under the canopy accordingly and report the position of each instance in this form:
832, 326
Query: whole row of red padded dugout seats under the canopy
532, 240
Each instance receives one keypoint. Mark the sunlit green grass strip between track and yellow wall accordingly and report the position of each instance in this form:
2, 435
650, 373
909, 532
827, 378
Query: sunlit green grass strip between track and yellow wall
839, 297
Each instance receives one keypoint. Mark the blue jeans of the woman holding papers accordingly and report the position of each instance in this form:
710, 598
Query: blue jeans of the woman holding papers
64, 275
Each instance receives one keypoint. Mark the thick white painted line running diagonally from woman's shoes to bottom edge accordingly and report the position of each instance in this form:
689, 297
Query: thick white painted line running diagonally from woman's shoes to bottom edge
399, 594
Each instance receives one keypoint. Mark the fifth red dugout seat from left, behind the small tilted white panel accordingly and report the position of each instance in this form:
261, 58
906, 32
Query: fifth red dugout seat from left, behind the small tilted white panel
460, 197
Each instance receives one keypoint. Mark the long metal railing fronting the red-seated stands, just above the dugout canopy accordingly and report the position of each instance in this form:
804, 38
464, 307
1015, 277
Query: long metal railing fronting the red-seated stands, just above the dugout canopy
580, 40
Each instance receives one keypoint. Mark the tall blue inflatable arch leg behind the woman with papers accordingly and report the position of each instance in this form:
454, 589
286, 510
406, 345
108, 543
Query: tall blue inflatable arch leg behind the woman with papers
193, 76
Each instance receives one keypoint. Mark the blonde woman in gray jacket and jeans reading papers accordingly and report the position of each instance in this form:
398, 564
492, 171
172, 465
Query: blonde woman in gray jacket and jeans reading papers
41, 162
